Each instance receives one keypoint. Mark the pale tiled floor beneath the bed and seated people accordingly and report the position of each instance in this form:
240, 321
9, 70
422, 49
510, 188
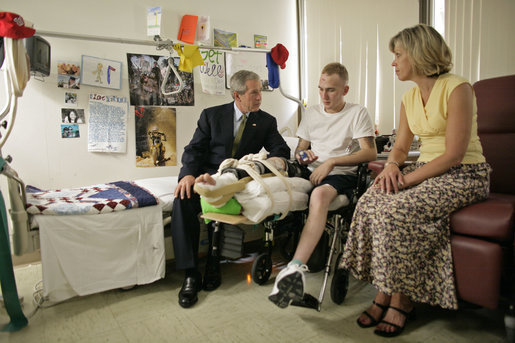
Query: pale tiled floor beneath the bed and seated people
237, 312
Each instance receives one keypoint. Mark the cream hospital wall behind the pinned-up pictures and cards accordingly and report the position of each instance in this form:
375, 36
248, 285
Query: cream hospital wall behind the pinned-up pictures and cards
43, 159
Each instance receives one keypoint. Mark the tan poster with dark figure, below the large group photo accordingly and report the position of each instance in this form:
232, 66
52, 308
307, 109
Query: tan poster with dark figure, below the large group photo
155, 136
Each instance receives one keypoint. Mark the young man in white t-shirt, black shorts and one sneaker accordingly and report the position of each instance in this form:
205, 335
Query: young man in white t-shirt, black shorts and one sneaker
335, 136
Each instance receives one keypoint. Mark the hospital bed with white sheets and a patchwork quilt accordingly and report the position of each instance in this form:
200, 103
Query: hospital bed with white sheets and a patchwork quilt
83, 254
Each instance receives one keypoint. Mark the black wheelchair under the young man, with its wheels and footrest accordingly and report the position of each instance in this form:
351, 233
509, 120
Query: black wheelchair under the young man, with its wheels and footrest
331, 244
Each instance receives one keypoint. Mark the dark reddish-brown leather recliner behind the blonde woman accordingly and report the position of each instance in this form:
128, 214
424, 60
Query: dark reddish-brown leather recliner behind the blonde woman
482, 234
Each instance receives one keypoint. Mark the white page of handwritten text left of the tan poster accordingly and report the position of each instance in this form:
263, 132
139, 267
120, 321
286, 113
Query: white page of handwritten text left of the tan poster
107, 126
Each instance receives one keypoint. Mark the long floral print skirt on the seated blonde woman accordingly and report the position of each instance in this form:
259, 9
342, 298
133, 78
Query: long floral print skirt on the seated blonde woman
400, 242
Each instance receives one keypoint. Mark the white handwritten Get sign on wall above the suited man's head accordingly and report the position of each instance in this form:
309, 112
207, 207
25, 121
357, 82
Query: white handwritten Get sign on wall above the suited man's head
212, 73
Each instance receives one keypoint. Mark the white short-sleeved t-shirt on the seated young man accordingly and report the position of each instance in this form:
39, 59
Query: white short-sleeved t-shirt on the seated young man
335, 134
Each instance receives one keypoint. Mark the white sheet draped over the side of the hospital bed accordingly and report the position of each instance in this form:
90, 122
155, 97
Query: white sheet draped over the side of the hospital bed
86, 254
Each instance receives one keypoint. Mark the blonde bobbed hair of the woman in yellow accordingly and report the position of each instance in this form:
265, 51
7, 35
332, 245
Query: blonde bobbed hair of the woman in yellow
426, 48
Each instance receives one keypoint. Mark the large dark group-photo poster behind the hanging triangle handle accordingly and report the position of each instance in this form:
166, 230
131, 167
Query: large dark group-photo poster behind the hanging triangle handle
146, 73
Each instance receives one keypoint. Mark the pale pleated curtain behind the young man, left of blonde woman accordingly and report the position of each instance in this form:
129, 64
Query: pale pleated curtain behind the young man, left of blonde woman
356, 34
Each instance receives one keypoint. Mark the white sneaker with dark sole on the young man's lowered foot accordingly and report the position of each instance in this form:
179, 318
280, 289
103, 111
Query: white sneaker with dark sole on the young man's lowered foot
289, 285
